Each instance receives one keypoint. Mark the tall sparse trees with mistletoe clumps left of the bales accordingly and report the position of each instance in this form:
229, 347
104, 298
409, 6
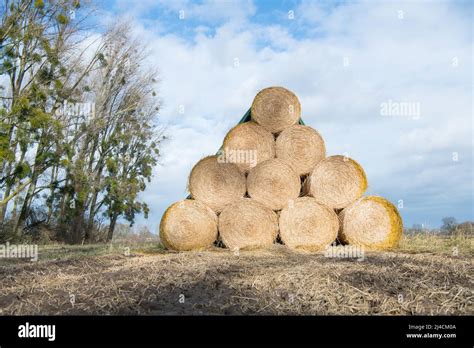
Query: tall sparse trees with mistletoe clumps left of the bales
78, 137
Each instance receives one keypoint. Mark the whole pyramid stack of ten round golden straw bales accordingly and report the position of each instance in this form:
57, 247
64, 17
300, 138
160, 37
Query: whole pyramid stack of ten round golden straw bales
272, 179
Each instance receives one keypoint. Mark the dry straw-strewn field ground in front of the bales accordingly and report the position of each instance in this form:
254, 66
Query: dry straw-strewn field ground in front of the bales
426, 275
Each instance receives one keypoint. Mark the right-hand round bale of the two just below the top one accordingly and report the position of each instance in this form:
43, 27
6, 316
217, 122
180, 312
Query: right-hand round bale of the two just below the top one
301, 147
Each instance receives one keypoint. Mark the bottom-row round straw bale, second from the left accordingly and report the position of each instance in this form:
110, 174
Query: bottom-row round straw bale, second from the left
247, 224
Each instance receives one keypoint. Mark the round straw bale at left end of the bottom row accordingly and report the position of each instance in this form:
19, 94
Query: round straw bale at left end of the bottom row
188, 225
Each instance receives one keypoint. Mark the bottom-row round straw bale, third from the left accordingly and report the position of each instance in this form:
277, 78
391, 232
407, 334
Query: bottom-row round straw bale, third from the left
308, 225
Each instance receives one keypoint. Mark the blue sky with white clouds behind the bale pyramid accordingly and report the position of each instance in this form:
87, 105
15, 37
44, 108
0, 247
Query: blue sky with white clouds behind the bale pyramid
346, 61
